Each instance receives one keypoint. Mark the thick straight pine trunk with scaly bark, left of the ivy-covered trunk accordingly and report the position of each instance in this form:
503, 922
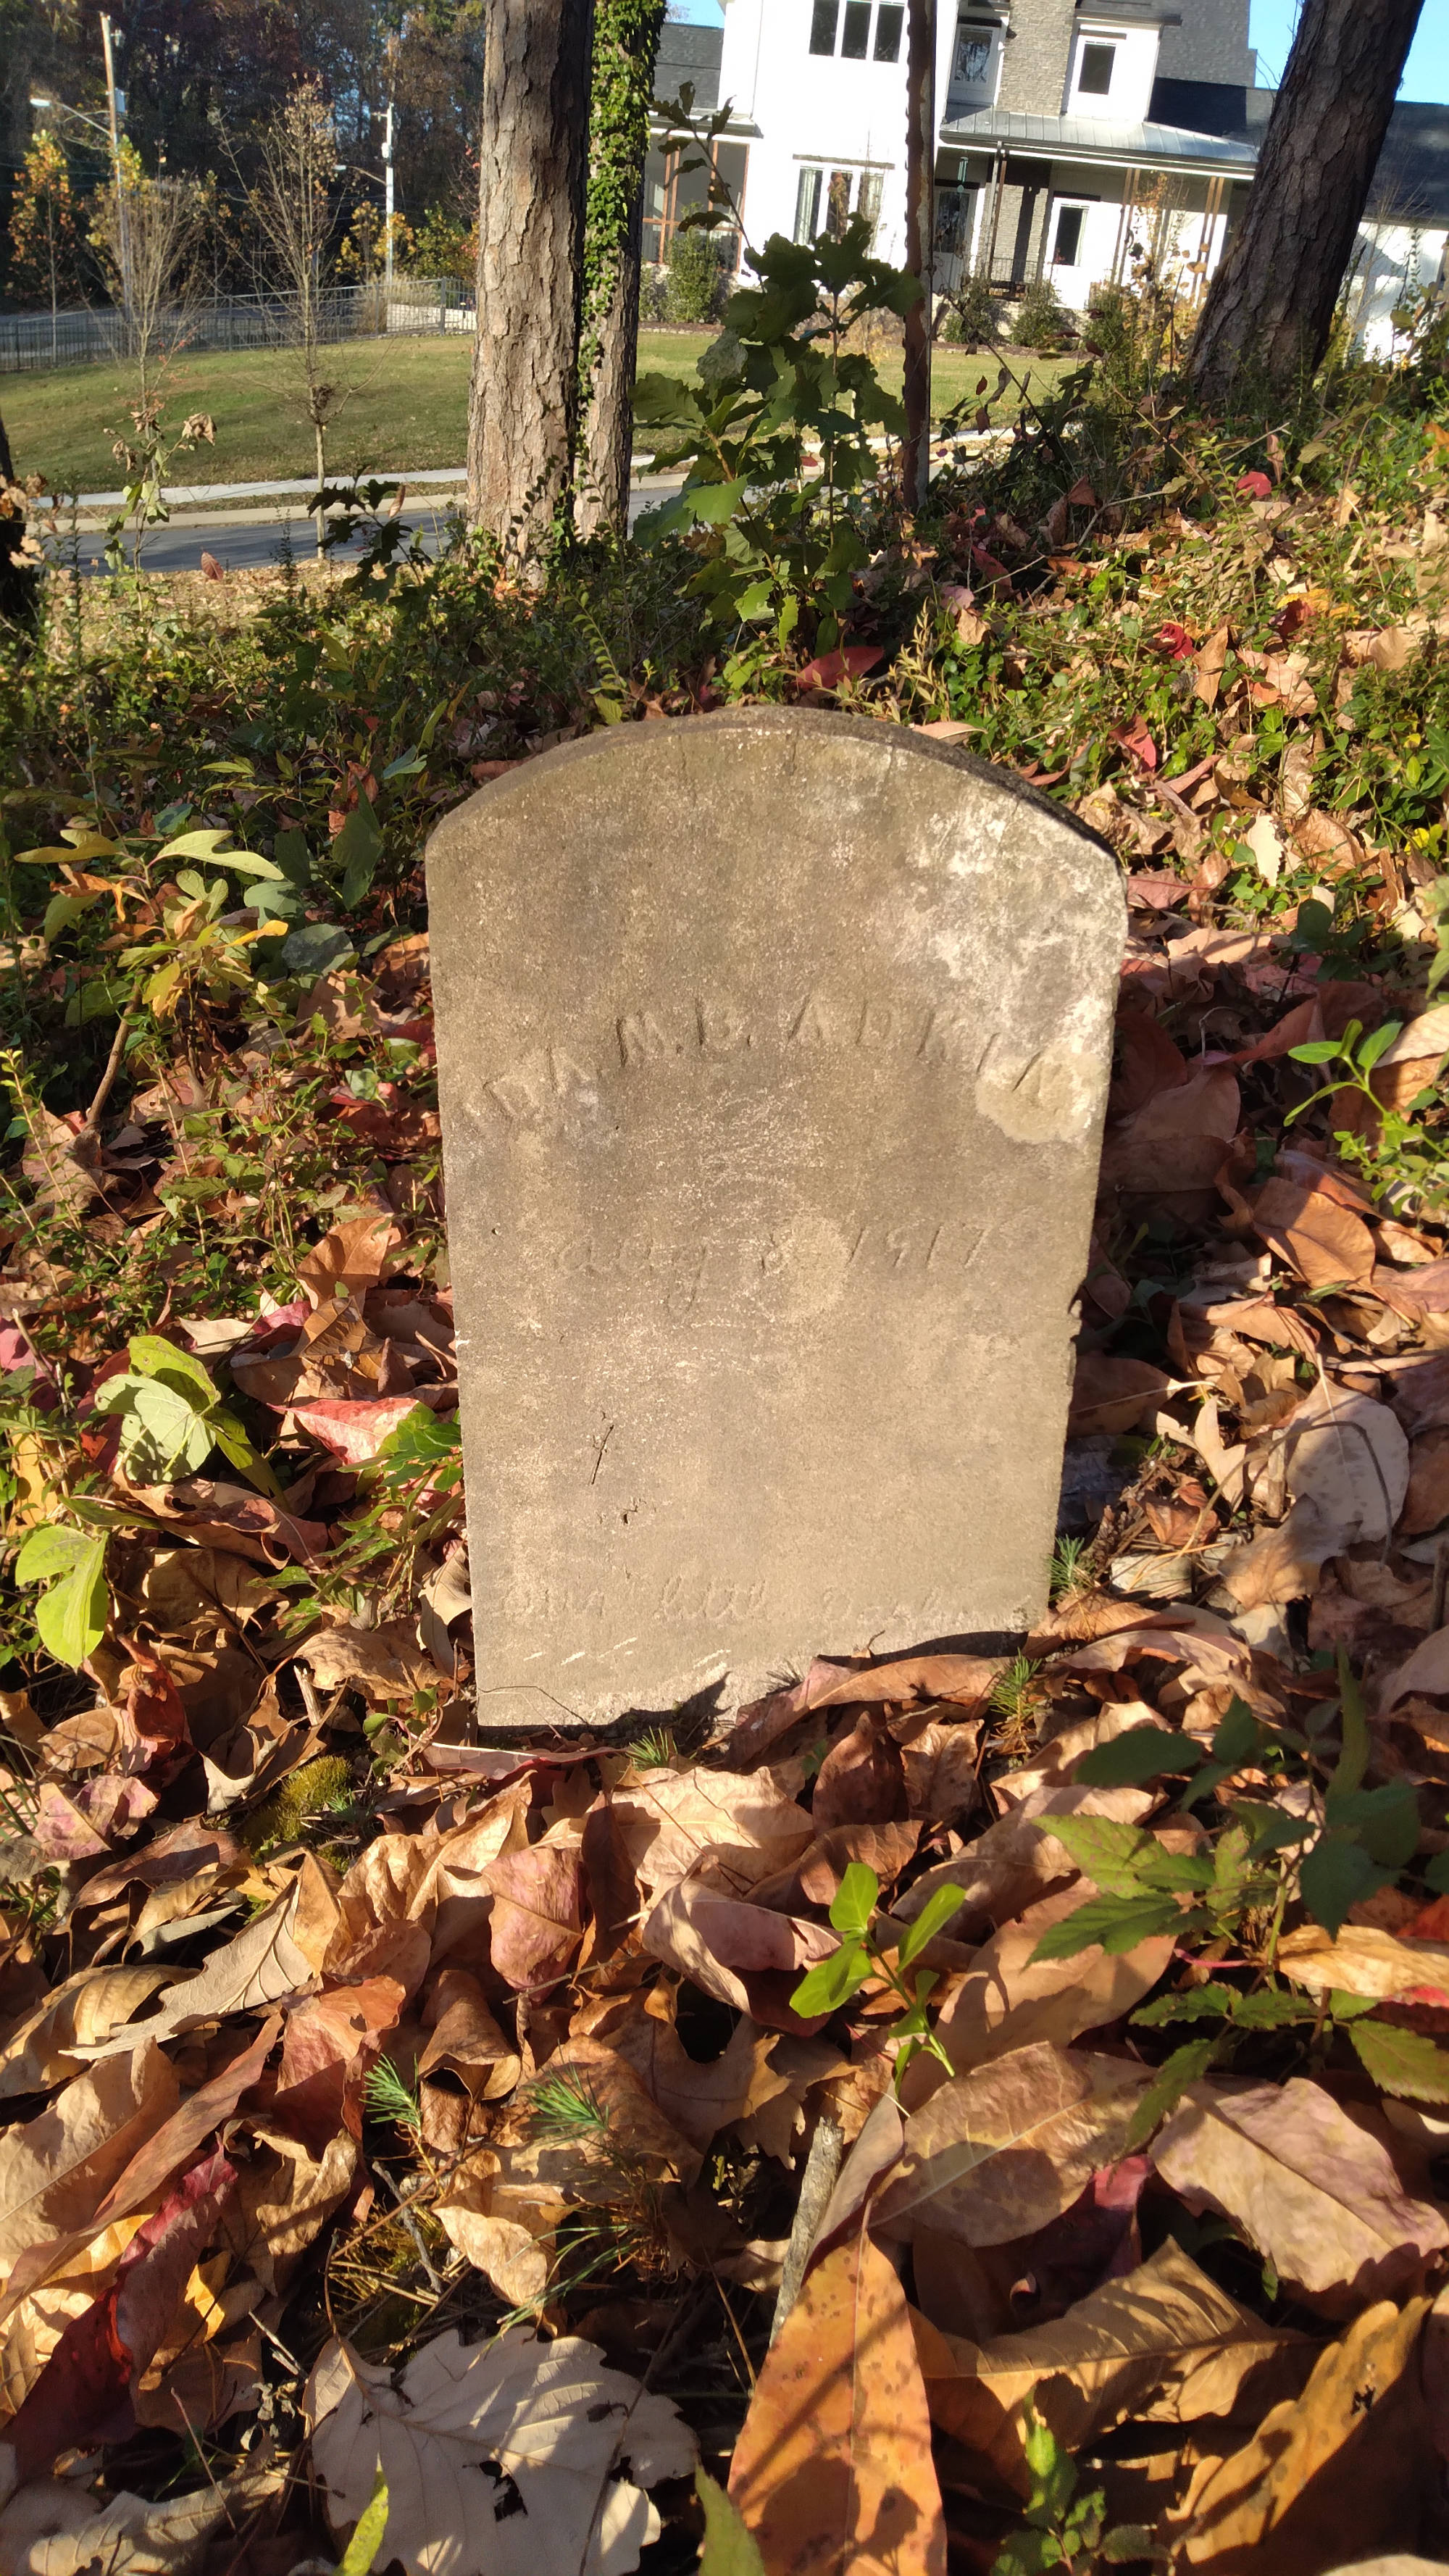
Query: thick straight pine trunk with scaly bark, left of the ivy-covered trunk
534, 156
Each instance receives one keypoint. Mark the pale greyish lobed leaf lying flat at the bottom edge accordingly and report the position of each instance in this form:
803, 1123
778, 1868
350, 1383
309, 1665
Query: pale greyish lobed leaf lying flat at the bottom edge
549, 2418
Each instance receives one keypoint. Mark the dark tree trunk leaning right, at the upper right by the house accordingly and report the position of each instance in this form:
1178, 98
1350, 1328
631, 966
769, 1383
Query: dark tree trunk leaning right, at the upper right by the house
1270, 308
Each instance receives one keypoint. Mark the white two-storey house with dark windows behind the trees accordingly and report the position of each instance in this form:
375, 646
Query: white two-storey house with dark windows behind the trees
1067, 133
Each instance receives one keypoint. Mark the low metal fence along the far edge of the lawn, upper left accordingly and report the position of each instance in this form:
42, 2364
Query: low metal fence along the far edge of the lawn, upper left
349, 313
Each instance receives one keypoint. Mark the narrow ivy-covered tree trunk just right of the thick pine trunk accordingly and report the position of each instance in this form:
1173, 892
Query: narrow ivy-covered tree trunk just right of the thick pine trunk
627, 48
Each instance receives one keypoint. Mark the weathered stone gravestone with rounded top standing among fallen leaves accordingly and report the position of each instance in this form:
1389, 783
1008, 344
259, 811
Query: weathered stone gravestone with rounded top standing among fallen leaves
773, 1052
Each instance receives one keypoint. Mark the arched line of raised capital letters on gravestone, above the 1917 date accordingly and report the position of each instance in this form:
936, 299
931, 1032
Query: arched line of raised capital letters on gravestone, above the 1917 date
712, 1029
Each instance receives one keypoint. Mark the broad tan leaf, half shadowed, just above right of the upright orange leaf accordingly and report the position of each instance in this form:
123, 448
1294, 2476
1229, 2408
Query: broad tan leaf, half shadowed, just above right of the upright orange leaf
1005, 2150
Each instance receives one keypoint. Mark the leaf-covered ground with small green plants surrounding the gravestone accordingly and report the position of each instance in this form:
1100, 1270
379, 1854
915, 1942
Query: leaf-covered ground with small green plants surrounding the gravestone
1067, 2031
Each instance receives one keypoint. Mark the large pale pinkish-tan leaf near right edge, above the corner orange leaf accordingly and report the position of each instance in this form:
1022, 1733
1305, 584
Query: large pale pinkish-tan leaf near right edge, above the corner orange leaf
1306, 2186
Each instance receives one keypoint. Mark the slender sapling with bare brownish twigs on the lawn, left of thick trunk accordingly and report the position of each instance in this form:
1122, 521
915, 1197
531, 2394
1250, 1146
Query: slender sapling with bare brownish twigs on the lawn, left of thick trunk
295, 218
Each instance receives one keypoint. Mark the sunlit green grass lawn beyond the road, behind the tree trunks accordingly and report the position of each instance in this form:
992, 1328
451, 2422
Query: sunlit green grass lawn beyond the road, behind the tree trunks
405, 408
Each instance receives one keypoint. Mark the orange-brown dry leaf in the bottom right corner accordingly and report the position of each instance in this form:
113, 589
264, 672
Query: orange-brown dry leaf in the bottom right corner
1329, 2477
